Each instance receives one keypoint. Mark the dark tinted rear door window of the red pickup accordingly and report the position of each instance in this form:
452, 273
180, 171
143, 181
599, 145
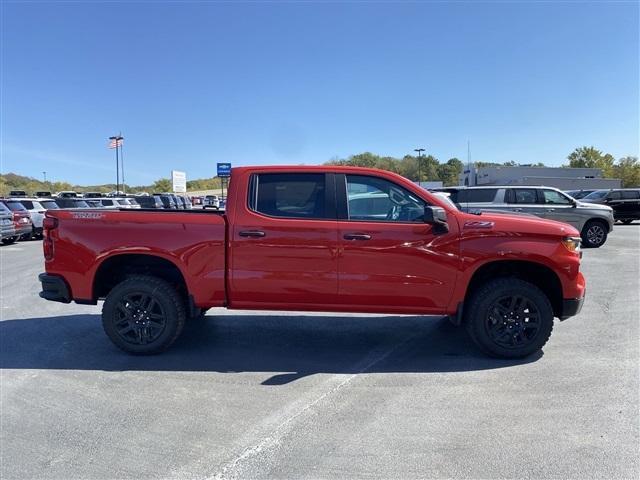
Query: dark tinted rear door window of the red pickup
297, 195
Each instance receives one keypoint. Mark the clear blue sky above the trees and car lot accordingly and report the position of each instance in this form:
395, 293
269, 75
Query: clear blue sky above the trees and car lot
190, 84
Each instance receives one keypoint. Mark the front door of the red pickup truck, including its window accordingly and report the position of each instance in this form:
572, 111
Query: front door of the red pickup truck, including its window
390, 260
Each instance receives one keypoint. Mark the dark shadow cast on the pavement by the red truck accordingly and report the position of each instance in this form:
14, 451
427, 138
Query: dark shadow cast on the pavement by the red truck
289, 346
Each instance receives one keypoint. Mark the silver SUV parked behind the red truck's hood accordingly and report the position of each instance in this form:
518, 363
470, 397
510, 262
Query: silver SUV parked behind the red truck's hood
593, 221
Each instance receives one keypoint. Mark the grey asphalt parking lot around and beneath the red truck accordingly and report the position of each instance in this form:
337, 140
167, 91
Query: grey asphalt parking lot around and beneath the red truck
268, 394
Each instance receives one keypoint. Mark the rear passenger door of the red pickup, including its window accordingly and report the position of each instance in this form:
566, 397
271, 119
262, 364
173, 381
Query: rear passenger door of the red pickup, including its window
284, 242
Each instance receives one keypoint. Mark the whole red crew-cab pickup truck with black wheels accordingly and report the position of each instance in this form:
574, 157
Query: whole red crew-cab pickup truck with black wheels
338, 239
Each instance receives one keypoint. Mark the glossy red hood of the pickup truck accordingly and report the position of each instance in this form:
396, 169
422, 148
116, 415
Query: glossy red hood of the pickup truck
516, 224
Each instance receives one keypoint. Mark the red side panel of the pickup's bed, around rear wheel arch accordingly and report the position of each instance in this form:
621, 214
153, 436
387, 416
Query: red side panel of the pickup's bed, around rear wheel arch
193, 241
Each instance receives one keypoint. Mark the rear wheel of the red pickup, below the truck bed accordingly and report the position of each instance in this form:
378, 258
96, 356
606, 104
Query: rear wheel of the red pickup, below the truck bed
143, 315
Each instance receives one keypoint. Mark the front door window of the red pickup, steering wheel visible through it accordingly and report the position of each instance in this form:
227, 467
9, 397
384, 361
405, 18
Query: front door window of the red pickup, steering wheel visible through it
377, 199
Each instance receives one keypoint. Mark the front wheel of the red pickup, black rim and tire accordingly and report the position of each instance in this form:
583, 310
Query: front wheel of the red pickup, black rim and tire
509, 318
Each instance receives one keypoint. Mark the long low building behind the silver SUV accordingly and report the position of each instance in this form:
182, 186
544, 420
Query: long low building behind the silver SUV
558, 177
